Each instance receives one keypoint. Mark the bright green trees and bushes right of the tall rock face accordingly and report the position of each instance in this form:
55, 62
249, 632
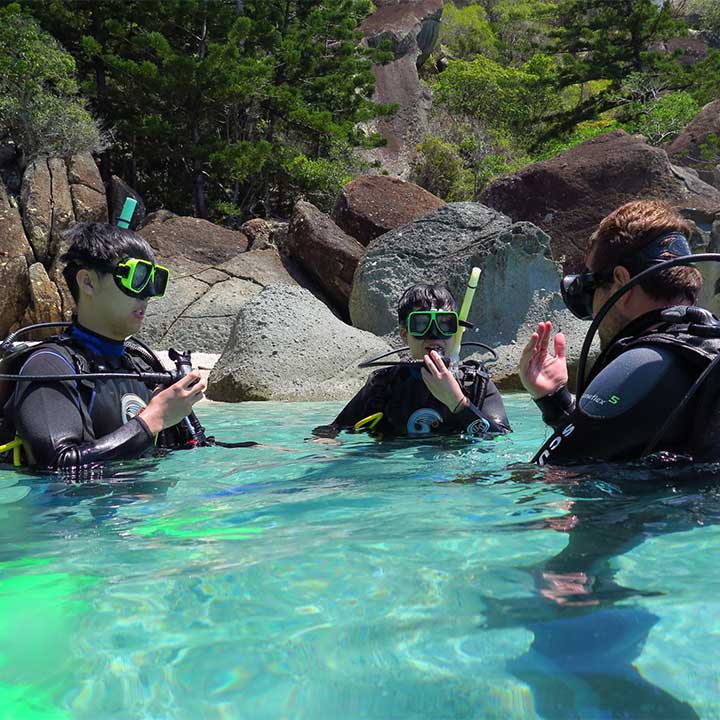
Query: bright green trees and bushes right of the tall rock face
517, 81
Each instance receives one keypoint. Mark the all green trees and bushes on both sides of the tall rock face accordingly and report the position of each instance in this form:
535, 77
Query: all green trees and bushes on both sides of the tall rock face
238, 107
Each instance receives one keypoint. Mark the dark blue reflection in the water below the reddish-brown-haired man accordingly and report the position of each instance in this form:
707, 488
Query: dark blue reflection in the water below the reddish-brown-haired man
588, 629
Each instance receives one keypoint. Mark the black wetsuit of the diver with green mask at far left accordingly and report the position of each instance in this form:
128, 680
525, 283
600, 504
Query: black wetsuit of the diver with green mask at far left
74, 423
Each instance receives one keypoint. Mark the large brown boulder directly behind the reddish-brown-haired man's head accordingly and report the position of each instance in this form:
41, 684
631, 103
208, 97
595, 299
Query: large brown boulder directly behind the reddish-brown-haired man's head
568, 195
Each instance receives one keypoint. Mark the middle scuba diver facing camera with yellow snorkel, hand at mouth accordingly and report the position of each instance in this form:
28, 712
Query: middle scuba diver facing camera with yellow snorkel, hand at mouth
420, 398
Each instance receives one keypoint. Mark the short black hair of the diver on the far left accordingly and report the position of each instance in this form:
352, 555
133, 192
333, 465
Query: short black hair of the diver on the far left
97, 245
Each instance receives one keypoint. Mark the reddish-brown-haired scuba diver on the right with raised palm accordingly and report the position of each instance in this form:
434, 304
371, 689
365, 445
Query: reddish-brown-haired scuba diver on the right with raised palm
657, 348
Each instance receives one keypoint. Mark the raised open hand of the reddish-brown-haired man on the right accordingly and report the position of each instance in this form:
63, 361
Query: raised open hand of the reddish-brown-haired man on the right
540, 372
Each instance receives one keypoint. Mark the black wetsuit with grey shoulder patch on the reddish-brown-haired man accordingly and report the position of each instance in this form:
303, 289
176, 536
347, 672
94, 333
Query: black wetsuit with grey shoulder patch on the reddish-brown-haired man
637, 382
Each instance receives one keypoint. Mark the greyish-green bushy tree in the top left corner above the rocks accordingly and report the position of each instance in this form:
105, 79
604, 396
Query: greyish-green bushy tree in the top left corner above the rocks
40, 110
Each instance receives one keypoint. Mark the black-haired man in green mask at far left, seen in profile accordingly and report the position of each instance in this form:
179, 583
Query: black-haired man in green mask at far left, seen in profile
71, 424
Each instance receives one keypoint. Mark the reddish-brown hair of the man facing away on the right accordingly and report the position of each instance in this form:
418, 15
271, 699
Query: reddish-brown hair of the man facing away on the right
632, 227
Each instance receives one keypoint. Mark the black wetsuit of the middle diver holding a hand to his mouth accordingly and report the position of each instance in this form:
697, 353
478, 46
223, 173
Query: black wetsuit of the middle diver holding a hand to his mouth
409, 408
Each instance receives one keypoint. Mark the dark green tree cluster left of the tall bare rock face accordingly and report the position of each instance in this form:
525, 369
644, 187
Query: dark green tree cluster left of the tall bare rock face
219, 101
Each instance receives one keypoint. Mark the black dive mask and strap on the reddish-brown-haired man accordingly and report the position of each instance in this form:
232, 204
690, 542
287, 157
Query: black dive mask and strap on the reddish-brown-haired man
578, 290
